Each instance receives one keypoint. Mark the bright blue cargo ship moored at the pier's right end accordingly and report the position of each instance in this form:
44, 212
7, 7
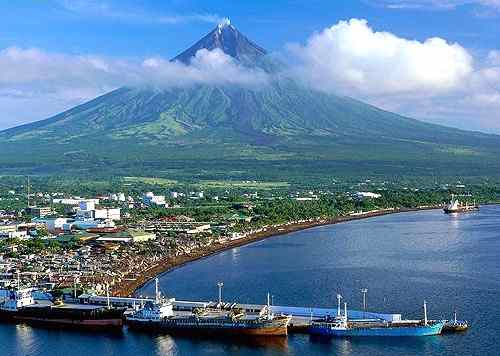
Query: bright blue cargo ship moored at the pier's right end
341, 326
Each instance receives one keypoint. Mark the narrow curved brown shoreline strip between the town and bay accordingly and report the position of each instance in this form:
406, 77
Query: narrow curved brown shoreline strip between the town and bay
129, 287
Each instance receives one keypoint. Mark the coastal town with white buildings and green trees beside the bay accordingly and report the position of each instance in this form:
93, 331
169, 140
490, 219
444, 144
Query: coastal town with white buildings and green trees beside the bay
60, 241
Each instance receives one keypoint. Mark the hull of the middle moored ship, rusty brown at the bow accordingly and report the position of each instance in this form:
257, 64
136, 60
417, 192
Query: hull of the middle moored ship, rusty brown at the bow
273, 328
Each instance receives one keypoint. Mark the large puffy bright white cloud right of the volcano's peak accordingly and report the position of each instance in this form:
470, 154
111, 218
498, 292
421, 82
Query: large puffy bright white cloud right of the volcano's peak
350, 57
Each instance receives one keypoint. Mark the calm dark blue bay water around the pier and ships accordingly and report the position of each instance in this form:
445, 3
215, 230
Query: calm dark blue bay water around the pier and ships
451, 261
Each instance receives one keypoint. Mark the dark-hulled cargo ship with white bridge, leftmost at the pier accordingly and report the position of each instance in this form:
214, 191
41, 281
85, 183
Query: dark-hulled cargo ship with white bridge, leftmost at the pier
19, 306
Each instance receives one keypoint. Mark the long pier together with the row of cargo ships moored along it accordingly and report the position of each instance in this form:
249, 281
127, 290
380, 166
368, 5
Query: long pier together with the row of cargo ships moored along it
161, 313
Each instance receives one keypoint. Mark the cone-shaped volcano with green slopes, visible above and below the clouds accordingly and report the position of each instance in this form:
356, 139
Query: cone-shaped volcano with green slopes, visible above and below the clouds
282, 120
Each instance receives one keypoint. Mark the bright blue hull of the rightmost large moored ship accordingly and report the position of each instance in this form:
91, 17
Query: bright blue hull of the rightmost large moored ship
402, 331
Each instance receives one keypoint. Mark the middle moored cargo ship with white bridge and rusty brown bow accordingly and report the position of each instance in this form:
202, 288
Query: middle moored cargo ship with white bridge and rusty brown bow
159, 315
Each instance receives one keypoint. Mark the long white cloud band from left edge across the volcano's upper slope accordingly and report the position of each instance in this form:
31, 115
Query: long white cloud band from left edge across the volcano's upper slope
35, 84
